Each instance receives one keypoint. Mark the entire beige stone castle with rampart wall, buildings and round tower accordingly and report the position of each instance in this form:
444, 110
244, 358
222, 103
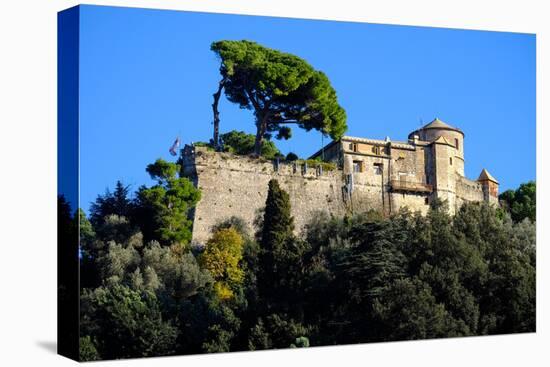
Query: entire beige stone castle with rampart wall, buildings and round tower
383, 175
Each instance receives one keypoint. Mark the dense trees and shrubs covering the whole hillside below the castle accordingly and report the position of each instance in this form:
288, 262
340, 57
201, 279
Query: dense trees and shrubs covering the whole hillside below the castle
356, 279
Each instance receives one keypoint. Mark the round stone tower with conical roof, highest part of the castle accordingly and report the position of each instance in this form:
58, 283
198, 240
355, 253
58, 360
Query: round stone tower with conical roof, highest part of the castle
453, 136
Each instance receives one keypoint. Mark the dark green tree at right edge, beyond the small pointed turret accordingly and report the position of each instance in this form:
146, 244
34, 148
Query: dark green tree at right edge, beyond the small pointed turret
521, 203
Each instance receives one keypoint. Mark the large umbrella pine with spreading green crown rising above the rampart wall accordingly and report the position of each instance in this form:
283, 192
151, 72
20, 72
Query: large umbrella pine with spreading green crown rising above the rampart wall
280, 88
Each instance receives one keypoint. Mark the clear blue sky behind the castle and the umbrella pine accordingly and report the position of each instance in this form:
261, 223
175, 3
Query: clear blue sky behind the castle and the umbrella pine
148, 75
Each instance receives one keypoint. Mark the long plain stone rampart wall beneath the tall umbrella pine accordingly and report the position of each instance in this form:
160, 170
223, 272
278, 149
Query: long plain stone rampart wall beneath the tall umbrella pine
237, 186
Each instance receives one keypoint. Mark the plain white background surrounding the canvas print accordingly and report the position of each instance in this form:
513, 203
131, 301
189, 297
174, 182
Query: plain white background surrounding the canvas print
28, 181
